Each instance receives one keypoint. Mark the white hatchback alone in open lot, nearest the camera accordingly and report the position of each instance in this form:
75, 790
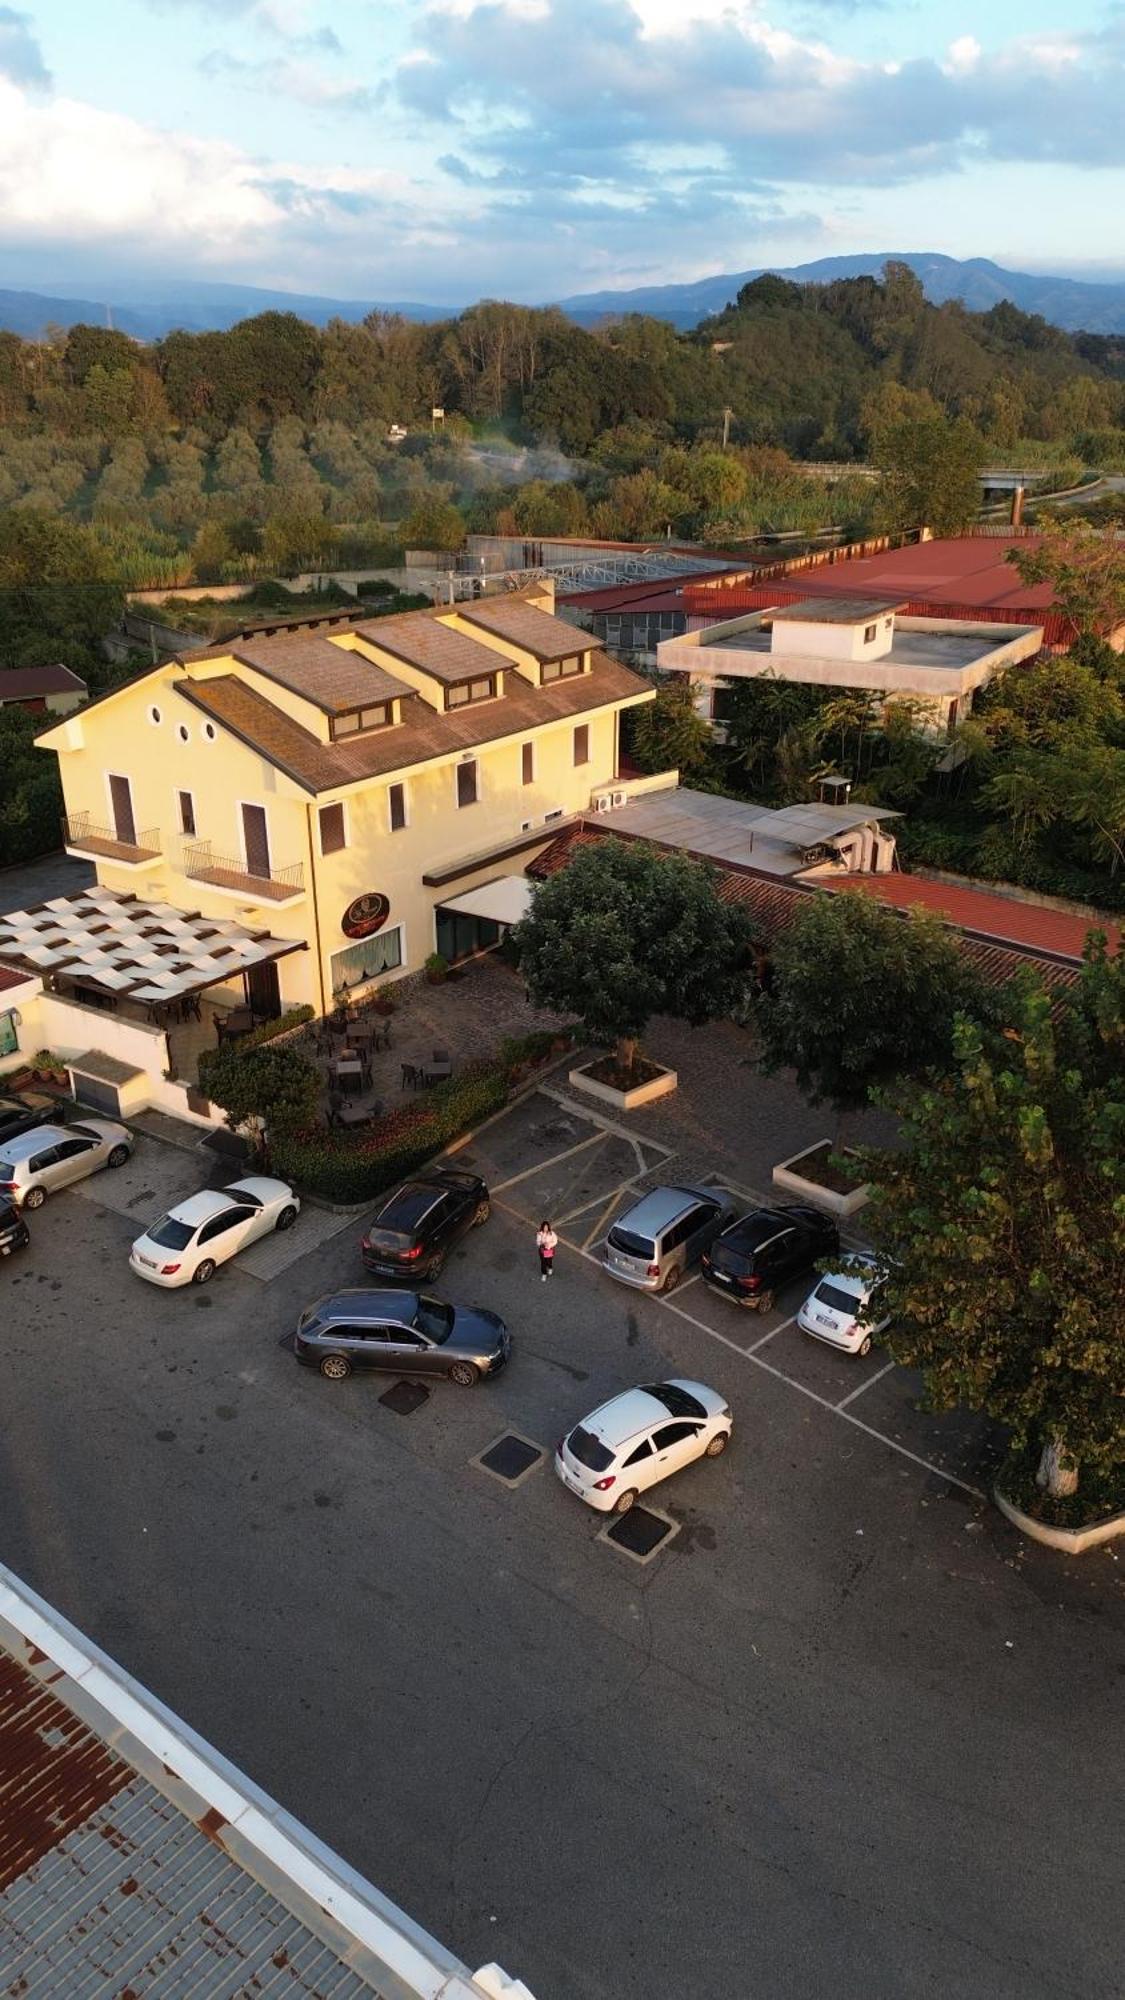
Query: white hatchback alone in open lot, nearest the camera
638, 1439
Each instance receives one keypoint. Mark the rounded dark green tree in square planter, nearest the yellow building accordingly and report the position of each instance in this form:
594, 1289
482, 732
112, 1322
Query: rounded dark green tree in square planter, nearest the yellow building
626, 933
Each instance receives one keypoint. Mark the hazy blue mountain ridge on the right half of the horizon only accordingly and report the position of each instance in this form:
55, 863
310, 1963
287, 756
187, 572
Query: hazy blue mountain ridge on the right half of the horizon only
1094, 309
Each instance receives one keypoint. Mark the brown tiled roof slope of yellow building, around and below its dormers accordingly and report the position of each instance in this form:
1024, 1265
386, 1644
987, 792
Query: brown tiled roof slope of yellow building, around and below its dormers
419, 737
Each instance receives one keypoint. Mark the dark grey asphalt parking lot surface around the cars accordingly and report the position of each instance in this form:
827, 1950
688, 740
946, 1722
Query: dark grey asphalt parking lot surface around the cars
842, 1729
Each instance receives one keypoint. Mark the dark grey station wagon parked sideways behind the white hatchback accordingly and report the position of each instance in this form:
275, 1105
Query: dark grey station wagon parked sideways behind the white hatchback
407, 1333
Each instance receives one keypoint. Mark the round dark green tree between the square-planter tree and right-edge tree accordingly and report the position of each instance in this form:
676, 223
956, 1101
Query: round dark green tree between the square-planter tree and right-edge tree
862, 997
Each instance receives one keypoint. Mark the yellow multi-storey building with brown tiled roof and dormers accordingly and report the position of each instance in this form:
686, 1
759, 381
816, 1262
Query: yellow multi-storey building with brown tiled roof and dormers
355, 797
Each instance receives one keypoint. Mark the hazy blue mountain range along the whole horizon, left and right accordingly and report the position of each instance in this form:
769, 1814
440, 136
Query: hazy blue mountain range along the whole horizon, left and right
149, 309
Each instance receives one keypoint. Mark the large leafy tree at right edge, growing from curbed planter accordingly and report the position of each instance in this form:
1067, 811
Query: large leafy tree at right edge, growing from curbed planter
1006, 1223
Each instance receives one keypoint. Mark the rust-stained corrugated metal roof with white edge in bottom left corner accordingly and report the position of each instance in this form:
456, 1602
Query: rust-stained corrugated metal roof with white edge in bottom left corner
137, 1861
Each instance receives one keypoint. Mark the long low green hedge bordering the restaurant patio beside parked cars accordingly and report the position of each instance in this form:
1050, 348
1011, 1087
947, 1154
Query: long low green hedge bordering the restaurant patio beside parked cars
351, 1167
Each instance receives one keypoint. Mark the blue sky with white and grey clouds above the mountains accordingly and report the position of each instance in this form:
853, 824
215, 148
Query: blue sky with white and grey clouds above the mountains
443, 151
